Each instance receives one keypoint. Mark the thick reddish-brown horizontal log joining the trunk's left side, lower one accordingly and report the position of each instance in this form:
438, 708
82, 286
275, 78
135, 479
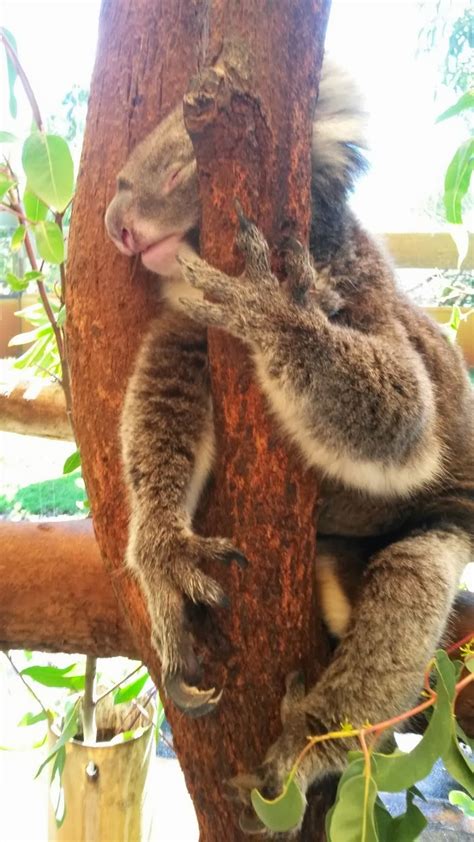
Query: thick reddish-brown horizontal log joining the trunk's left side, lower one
55, 594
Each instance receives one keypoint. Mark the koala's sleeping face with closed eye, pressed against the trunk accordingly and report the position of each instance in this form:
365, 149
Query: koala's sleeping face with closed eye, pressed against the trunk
157, 199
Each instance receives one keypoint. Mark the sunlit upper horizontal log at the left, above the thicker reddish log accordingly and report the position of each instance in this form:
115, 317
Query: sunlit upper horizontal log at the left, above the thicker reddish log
33, 407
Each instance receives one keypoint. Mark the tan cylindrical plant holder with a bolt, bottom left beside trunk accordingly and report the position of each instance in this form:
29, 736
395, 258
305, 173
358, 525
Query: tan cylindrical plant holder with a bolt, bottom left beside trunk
106, 790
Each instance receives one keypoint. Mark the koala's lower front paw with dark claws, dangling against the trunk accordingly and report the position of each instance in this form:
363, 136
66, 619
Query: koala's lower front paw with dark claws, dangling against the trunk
167, 567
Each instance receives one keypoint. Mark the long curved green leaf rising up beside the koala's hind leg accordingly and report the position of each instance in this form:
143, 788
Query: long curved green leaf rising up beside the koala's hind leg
399, 771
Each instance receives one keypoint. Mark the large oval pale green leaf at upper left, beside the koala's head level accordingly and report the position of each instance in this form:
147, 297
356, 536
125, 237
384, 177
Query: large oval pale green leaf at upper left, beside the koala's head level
49, 169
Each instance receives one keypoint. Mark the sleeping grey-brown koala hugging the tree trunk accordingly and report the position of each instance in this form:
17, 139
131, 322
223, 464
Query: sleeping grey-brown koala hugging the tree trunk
368, 390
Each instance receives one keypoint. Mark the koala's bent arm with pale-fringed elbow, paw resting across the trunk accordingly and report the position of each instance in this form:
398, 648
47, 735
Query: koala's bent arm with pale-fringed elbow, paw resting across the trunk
359, 405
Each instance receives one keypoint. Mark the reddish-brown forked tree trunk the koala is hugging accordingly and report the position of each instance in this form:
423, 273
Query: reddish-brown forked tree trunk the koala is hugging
250, 120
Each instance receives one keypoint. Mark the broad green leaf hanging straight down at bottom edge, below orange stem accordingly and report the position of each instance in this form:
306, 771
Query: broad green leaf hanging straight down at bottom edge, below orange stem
353, 817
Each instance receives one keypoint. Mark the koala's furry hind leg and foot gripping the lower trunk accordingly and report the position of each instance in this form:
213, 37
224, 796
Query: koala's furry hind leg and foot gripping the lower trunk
377, 671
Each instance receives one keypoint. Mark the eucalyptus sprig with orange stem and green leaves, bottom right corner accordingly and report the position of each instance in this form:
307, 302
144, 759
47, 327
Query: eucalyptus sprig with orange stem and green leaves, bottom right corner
359, 814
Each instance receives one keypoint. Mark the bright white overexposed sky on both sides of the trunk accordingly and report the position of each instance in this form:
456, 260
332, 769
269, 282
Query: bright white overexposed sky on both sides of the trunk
376, 40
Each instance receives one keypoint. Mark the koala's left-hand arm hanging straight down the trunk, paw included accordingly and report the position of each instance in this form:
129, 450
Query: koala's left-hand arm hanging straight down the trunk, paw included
167, 442
